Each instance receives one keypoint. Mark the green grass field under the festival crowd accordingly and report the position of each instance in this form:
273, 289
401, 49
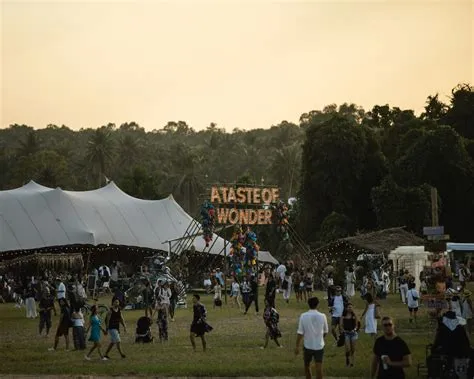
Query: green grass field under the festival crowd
233, 345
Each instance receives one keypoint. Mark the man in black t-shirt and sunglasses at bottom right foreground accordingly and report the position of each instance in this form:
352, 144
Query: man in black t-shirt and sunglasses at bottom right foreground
390, 354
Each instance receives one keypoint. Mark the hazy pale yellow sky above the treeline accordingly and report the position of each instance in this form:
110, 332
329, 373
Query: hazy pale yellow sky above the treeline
245, 64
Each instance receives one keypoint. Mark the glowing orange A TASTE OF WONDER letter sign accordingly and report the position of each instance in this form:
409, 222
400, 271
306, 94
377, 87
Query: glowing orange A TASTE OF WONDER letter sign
239, 205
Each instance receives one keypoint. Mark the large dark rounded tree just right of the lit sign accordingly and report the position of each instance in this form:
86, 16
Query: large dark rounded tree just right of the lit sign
333, 163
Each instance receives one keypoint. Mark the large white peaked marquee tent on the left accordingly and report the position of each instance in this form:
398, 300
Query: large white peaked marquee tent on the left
35, 217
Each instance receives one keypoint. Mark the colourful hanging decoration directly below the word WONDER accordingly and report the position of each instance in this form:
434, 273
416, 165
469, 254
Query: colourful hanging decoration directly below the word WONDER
243, 252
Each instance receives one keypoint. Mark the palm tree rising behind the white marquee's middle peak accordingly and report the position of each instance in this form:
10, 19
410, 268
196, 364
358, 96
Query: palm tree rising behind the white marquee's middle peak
100, 152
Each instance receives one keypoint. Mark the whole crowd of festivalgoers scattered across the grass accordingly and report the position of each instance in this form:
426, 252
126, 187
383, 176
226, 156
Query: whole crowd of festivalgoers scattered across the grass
390, 353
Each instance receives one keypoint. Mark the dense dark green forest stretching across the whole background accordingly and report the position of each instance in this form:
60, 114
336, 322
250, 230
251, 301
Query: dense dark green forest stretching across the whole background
350, 169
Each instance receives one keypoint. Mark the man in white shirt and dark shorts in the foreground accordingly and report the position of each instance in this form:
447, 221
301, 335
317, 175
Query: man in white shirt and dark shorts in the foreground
312, 328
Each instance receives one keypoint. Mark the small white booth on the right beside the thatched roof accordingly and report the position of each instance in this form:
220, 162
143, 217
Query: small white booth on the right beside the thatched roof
411, 258
